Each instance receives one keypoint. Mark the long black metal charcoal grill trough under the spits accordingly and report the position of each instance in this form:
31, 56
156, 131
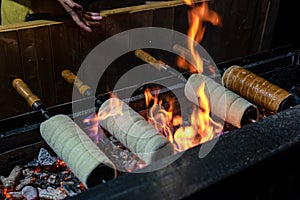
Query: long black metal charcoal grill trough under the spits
257, 161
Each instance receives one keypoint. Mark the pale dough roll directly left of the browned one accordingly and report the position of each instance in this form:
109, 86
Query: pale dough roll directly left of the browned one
225, 104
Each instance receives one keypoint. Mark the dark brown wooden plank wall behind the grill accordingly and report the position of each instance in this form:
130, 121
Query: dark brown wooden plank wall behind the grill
38, 51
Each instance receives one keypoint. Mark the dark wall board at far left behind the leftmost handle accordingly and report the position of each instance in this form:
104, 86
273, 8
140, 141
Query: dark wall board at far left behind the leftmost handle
10, 67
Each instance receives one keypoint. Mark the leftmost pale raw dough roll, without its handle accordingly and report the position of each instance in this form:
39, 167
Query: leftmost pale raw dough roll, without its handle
74, 146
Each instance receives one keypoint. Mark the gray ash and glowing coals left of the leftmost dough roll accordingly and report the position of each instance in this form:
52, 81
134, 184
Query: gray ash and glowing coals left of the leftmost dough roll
46, 177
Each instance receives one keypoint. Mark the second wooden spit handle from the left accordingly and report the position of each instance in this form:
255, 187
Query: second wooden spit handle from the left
71, 78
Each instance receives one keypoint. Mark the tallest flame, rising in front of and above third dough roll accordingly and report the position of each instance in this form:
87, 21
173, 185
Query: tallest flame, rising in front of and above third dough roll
202, 127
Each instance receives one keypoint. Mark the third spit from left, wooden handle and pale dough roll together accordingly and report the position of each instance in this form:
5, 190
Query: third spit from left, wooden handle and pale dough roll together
225, 104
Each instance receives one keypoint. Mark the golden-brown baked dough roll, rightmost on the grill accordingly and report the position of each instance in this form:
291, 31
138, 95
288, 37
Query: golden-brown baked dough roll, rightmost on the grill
257, 89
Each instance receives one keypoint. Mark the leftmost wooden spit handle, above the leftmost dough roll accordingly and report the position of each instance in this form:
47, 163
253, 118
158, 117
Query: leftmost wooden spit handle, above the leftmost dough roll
25, 92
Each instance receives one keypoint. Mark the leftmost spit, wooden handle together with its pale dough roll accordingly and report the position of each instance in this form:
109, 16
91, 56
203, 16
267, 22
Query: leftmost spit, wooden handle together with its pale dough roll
90, 165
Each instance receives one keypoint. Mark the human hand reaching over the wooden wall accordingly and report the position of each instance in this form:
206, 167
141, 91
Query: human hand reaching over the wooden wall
82, 18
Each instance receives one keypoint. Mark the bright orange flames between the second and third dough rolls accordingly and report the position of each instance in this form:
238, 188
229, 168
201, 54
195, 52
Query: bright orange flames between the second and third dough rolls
201, 128
